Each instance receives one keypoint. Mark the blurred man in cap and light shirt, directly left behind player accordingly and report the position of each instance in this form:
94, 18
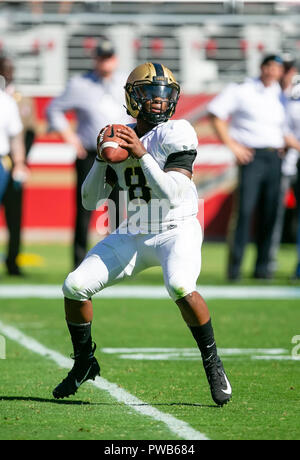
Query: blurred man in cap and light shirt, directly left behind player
97, 99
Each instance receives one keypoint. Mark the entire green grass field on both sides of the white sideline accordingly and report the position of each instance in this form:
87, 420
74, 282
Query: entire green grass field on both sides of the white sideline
266, 392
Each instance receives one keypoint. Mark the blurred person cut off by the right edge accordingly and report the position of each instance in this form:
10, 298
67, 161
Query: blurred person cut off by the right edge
289, 172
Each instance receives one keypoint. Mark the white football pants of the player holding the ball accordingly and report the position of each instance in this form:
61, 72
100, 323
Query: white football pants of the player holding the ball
121, 256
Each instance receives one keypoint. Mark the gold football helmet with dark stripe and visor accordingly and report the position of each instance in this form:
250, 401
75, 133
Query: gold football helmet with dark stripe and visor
147, 82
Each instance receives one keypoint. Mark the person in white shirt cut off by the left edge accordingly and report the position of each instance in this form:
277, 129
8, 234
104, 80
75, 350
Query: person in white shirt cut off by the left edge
12, 159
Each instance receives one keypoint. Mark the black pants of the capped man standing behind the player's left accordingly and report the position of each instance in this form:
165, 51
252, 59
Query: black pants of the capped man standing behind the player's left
83, 216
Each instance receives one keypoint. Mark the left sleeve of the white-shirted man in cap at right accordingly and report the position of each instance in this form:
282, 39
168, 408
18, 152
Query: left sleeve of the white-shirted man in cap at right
225, 103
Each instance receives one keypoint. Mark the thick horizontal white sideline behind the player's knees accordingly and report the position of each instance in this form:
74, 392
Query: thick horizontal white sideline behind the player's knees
155, 292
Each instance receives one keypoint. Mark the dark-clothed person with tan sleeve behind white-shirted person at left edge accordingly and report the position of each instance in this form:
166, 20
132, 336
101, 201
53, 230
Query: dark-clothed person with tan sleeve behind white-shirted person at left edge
13, 196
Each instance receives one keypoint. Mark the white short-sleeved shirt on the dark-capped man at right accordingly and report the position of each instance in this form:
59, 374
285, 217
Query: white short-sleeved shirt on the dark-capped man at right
256, 112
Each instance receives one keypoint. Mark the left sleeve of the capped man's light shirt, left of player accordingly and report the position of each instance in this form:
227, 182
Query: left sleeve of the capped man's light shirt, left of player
55, 110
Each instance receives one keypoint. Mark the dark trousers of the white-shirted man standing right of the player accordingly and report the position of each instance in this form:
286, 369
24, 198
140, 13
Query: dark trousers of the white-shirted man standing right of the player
259, 187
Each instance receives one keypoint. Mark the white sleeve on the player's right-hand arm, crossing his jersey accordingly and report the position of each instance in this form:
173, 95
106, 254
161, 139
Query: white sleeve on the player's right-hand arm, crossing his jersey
165, 185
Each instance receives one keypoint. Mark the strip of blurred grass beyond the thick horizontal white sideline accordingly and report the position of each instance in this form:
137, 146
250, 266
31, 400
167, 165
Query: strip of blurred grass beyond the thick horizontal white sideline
54, 263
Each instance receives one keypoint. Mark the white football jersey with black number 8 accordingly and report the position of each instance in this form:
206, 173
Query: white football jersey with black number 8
165, 139
